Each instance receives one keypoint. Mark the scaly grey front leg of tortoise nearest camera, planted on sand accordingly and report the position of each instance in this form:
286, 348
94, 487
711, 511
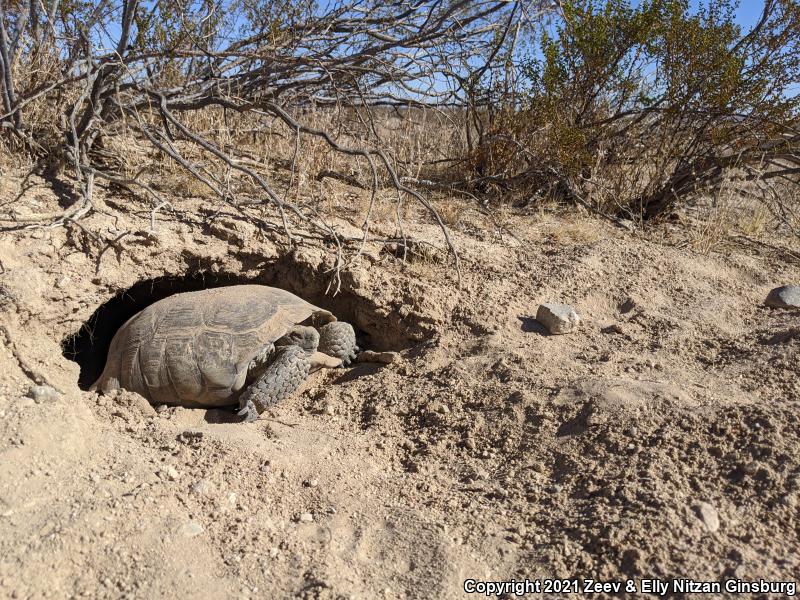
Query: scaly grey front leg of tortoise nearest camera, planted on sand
282, 377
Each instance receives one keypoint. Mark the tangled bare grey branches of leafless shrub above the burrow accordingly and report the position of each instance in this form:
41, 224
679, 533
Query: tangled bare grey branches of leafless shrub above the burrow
171, 65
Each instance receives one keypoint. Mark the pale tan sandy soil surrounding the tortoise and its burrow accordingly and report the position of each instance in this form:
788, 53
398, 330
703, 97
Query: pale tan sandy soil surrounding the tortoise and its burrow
661, 440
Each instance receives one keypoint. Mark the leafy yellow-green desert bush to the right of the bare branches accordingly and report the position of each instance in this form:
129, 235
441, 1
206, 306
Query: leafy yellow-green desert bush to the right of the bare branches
632, 108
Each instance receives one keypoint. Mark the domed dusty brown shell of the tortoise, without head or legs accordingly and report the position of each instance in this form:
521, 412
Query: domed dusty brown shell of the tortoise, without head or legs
193, 348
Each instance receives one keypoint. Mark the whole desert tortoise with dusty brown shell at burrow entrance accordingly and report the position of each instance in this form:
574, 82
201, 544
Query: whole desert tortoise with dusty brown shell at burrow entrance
220, 346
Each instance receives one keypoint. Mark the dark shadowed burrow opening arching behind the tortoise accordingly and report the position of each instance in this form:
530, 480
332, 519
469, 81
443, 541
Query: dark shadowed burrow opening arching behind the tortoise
89, 345
